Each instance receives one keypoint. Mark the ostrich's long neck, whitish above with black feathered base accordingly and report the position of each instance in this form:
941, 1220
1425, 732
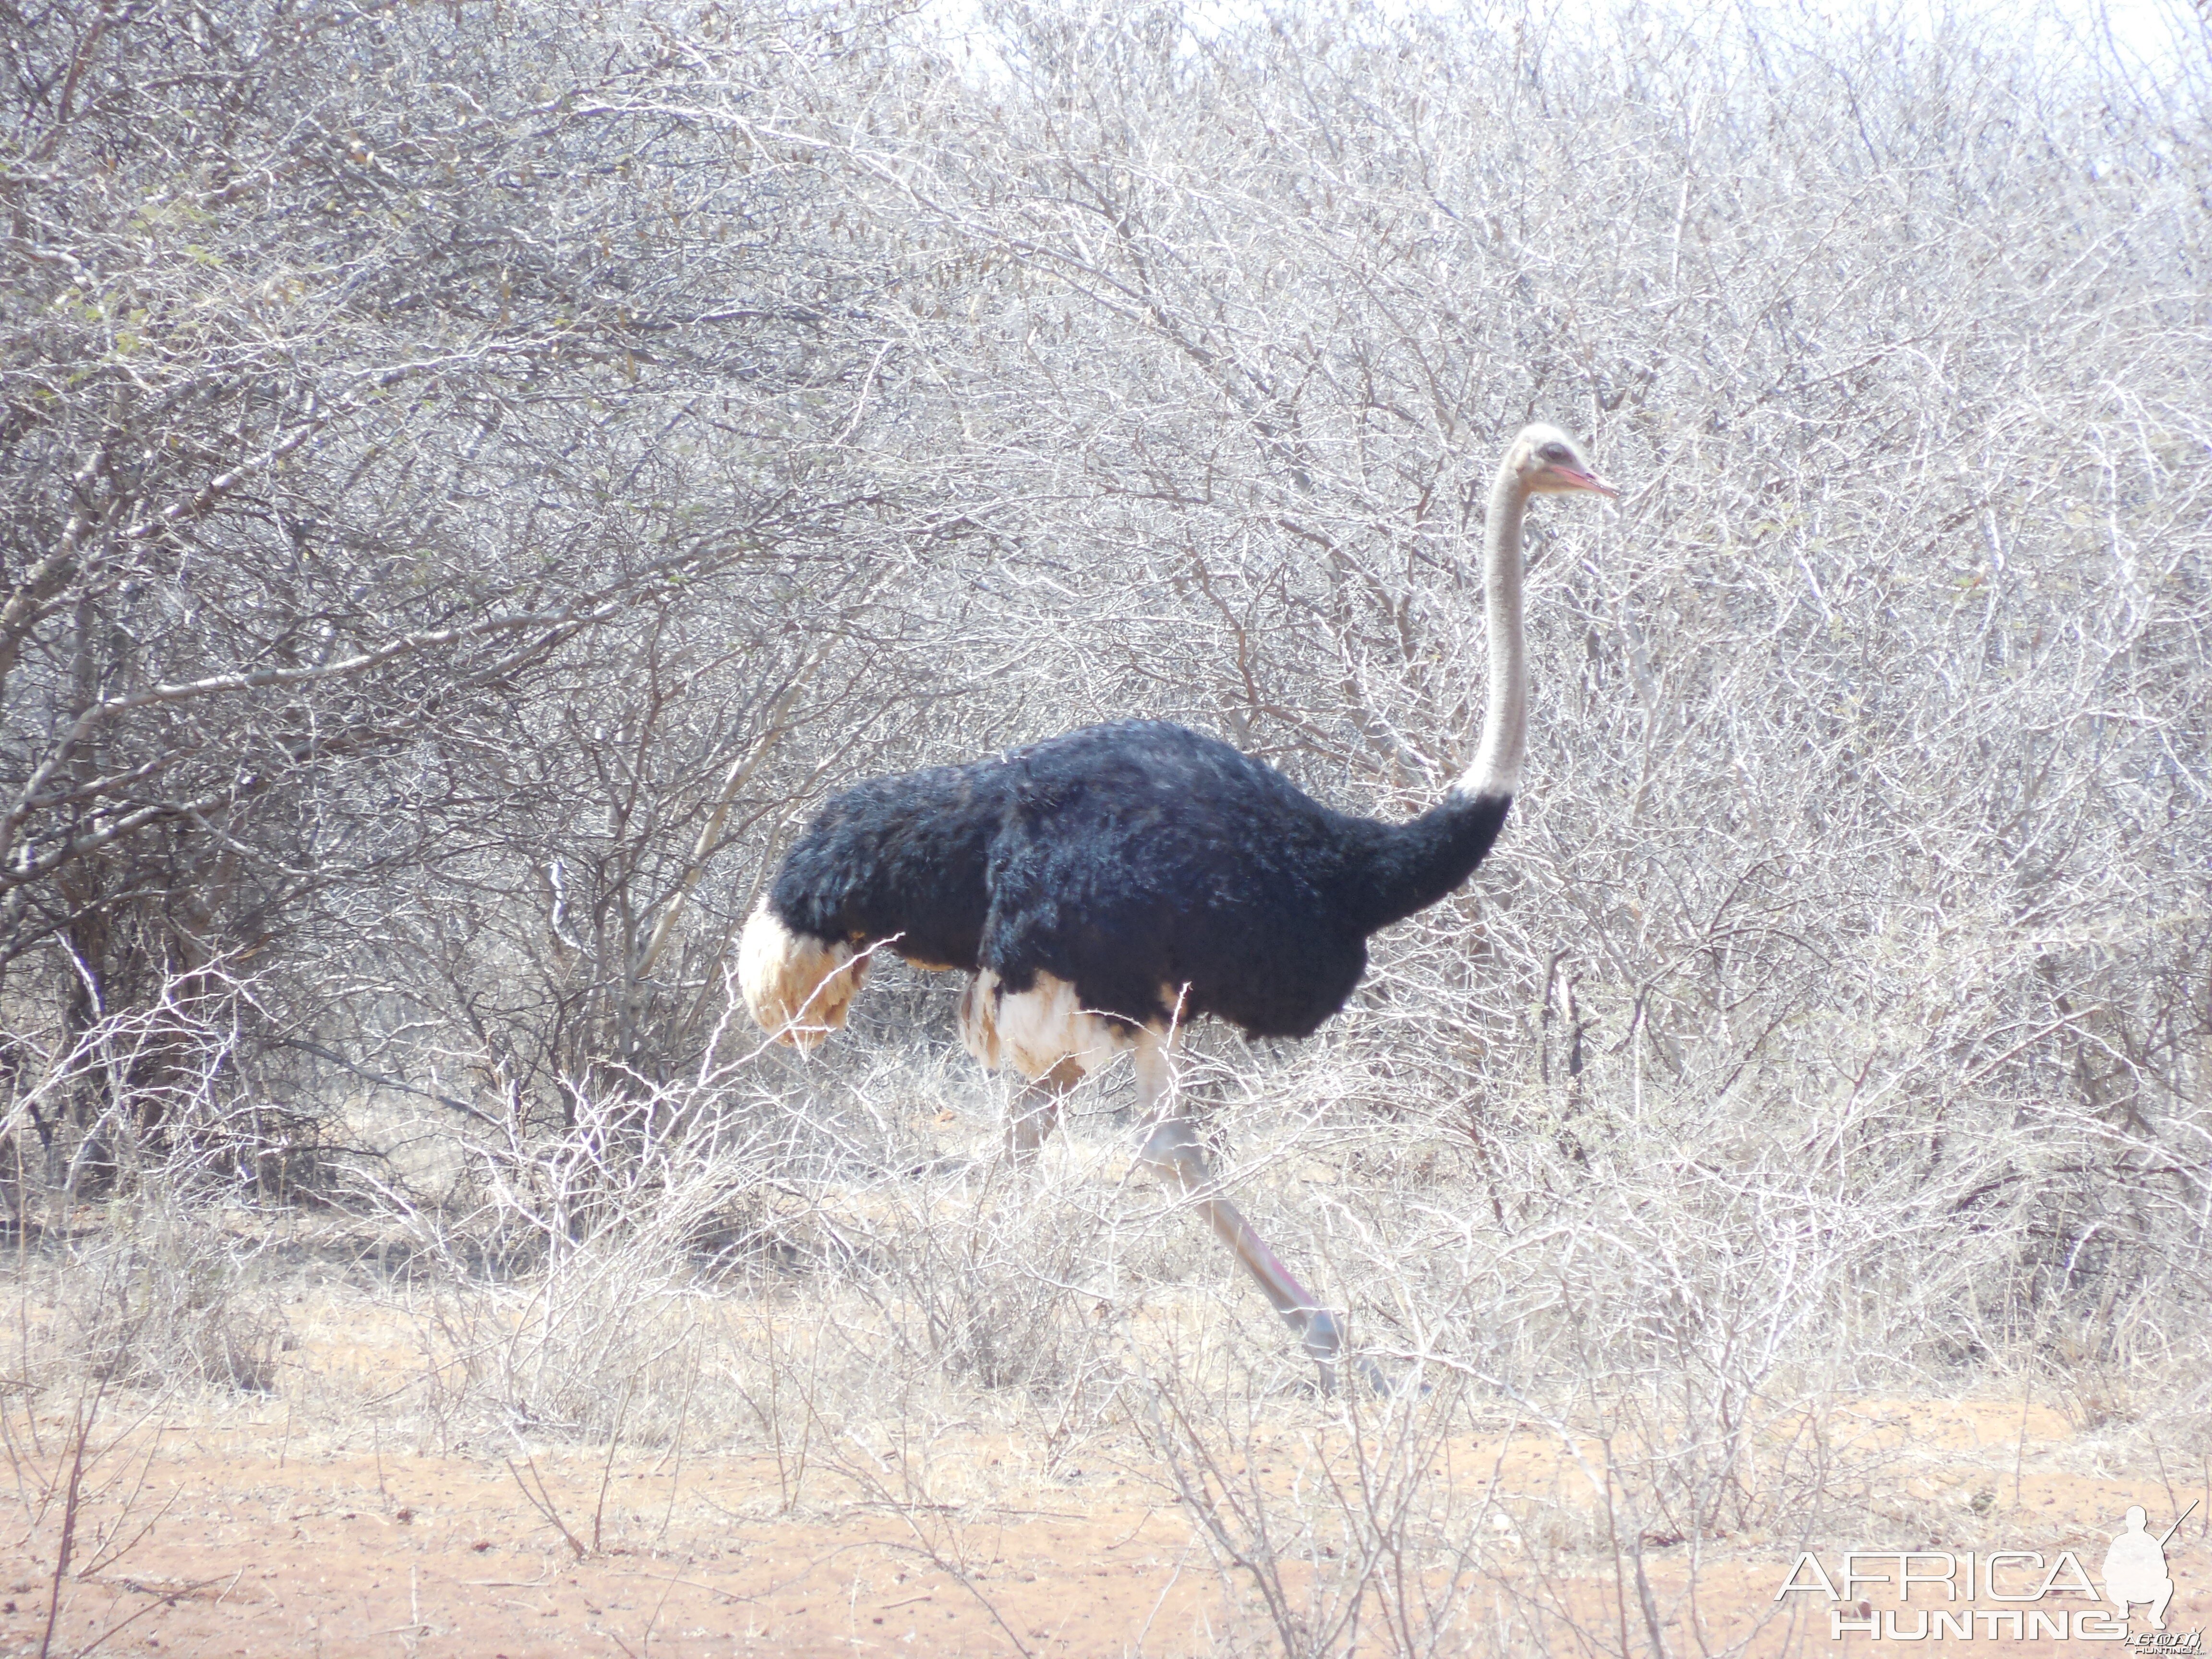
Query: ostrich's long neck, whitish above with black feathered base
1410, 866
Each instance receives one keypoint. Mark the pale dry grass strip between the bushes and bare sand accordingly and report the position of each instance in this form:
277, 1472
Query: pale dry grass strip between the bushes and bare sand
1662, 1375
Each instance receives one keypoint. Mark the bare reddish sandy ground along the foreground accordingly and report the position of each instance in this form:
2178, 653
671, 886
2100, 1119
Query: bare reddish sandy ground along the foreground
238, 1541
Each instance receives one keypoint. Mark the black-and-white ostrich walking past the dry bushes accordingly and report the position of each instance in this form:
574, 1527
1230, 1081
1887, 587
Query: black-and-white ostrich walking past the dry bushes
1116, 881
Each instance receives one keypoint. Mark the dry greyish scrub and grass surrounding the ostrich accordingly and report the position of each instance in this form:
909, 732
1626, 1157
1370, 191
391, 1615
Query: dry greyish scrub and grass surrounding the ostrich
474, 477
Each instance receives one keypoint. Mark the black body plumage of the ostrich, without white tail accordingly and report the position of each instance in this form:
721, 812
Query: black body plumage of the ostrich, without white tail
1129, 859
